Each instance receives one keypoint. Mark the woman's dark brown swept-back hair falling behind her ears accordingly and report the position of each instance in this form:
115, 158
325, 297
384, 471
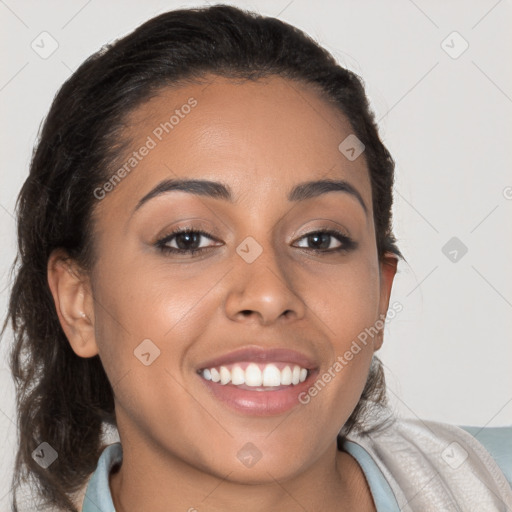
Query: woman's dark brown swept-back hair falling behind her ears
64, 399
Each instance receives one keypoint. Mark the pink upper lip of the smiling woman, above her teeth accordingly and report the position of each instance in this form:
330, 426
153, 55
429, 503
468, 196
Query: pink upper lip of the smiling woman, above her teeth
260, 354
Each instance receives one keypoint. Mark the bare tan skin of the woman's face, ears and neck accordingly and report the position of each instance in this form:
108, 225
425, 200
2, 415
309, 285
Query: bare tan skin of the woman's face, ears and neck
180, 444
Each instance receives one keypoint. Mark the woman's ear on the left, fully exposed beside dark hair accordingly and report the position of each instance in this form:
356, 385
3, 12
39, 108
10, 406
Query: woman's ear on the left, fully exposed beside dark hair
71, 291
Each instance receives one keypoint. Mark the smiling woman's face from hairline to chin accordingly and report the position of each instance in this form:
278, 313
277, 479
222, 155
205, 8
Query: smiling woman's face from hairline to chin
263, 278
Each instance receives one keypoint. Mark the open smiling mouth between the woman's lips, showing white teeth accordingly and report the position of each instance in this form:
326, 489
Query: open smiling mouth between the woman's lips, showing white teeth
253, 376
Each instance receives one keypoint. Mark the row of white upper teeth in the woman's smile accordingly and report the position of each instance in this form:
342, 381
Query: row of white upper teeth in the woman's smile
254, 376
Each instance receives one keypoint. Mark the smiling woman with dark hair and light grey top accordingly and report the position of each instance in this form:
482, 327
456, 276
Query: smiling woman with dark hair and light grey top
206, 260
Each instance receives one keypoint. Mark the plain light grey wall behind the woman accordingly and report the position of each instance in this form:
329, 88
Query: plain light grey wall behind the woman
447, 122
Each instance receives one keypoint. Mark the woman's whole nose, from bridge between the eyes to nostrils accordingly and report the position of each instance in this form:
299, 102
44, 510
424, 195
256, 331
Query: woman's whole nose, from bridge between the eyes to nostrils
261, 285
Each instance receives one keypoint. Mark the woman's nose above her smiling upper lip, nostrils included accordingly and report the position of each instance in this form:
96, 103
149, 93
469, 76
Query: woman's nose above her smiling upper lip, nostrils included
262, 291
